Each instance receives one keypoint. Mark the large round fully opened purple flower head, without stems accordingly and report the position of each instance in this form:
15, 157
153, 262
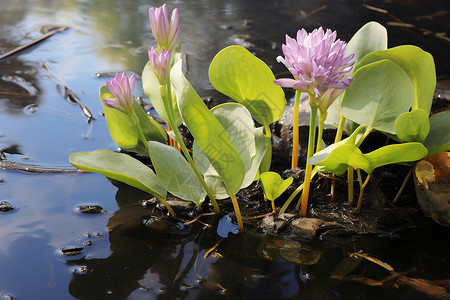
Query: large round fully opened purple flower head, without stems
317, 62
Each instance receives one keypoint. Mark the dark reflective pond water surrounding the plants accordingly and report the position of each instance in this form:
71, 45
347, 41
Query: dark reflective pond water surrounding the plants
121, 258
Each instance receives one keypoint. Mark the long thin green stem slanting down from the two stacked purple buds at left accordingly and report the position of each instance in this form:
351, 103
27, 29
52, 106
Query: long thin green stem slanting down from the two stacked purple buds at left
179, 139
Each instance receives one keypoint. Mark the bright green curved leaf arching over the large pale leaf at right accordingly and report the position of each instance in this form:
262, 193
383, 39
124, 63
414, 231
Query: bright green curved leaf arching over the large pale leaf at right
418, 65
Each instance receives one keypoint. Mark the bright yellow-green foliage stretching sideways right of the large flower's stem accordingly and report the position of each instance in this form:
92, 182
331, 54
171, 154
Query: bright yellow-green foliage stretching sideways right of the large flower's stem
350, 155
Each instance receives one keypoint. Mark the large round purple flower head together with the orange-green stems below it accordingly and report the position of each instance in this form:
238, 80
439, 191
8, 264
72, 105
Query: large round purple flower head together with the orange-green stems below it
319, 66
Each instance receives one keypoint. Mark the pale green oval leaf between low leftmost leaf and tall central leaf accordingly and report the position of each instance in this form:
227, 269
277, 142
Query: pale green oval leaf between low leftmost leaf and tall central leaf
175, 173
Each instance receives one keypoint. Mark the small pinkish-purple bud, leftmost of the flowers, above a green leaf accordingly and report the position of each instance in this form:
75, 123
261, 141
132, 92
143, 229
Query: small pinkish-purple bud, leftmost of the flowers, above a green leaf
121, 87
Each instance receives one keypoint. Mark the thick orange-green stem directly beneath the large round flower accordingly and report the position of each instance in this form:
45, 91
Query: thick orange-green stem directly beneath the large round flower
311, 140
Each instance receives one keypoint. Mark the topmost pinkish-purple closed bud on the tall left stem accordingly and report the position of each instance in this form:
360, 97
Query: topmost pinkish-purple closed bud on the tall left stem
166, 34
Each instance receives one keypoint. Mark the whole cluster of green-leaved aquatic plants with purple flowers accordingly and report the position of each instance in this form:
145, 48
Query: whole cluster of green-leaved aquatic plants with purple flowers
229, 151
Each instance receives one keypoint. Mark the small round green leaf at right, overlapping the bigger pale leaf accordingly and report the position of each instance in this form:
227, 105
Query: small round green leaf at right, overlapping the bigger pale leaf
412, 126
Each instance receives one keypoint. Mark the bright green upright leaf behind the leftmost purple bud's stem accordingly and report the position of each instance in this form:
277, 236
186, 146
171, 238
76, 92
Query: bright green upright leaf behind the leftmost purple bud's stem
123, 130
